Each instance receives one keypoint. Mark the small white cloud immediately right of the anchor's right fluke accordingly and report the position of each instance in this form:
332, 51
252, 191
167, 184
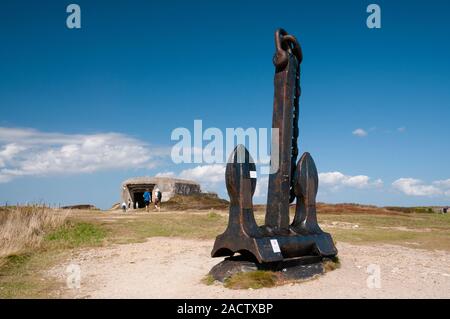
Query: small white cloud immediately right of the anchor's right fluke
337, 179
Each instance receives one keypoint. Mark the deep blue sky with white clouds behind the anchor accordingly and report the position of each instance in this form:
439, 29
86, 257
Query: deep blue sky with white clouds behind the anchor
82, 110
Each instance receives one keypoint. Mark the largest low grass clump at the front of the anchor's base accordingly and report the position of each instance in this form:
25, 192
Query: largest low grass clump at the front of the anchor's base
252, 280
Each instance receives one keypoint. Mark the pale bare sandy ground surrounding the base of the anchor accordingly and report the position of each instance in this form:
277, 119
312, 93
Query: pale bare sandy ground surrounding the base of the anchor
173, 268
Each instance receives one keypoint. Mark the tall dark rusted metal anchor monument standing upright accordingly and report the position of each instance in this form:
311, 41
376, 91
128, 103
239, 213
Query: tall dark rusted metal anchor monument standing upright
278, 239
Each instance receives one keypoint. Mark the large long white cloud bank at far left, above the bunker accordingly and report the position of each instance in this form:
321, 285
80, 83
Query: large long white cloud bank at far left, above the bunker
28, 152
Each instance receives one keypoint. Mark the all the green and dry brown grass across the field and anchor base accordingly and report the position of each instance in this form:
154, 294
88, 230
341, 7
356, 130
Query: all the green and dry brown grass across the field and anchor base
34, 239
